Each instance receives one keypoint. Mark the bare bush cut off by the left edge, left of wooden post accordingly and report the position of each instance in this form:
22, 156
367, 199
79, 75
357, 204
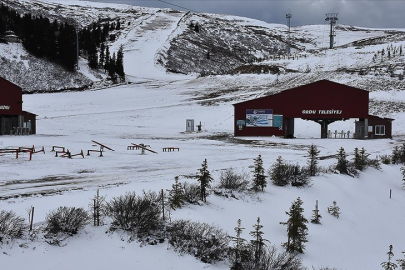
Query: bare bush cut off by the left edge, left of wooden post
11, 225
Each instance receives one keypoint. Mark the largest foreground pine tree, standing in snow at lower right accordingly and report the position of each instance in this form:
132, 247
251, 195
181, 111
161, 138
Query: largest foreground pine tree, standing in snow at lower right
296, 228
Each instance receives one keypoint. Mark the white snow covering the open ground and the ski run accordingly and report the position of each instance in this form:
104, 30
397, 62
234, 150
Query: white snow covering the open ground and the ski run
153, 110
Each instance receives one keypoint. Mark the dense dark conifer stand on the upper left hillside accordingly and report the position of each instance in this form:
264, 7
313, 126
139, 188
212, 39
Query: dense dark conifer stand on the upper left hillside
57, 41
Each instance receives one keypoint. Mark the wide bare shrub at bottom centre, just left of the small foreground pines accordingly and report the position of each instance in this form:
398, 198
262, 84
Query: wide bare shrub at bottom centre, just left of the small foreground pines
206, 242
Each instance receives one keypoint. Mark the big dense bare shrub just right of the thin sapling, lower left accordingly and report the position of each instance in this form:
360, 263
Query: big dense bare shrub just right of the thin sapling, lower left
137, 214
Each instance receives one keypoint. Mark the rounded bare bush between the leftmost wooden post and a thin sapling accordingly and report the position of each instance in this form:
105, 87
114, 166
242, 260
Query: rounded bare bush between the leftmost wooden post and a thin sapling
66, 220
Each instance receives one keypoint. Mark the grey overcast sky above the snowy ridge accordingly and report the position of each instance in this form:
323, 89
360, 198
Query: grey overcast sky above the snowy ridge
365, 13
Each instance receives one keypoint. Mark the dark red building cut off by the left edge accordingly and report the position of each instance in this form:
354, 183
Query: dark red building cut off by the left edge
13, 120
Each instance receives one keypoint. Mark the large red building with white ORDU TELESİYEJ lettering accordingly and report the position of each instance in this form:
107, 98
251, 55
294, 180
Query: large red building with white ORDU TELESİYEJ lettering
323, 102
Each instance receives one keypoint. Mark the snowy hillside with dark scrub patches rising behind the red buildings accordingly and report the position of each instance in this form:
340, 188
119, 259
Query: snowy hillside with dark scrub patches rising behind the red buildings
161, 42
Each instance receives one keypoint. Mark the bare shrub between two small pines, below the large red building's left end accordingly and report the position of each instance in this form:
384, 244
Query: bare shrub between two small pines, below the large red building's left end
234, 180
